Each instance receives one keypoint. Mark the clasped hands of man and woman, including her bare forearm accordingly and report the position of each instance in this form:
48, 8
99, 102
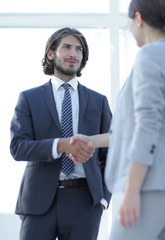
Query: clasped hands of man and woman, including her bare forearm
80, 147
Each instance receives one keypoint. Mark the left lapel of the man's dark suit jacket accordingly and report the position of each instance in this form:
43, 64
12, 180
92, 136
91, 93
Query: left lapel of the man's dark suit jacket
49, 98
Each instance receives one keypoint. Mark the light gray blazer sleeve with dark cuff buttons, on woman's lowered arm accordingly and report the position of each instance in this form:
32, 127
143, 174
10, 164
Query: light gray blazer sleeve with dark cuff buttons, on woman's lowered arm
148, 88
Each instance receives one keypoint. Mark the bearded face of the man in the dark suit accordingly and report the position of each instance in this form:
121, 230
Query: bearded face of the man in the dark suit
68, 56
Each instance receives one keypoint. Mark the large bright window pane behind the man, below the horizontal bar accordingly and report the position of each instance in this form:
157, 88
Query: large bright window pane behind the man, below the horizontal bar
22, 51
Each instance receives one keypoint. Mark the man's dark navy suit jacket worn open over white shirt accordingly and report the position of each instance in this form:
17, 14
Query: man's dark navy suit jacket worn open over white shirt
33, 128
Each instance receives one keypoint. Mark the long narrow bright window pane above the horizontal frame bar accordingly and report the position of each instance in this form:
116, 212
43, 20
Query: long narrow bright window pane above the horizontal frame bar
51, 6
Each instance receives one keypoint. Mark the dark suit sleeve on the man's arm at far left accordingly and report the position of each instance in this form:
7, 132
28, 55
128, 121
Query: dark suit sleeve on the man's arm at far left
24, 146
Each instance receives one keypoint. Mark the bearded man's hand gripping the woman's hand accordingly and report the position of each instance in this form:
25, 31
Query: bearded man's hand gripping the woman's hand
81, 150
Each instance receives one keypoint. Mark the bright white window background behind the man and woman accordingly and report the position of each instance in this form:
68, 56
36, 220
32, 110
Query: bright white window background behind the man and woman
25, 27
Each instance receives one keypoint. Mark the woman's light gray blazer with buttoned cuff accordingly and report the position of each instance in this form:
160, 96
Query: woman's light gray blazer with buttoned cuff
138, 127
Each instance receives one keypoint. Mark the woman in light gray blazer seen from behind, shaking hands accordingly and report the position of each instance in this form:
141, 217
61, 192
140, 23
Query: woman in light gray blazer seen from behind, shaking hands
135, 169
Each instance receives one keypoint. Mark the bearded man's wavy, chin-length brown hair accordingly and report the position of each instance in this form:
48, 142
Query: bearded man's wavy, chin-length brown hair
53, 43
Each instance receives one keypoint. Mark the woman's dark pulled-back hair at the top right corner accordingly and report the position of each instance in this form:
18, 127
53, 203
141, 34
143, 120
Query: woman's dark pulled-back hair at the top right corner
152, 11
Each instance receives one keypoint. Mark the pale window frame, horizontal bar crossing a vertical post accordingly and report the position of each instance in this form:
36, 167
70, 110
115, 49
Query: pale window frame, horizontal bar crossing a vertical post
113, 20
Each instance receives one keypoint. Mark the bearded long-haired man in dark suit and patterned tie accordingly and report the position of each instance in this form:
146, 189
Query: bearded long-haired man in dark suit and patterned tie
52, 203
